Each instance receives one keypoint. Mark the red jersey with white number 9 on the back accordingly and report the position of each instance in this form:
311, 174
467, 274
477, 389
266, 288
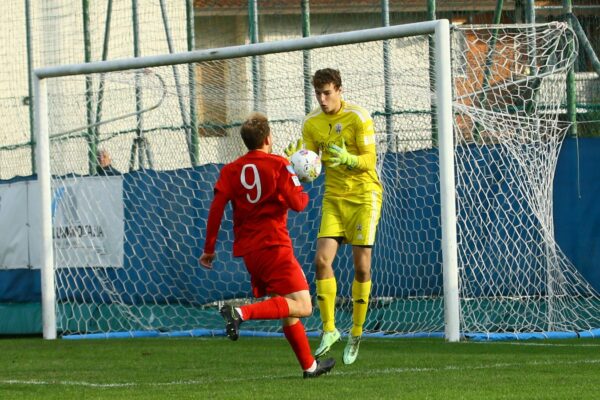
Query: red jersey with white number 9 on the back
261, 187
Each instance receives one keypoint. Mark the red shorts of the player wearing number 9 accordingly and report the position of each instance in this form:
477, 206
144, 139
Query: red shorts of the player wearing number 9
275, 270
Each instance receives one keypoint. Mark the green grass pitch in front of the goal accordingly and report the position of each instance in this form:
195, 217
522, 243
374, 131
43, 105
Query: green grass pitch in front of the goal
265, 368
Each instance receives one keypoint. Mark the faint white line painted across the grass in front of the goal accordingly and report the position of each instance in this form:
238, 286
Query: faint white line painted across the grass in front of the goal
373, 372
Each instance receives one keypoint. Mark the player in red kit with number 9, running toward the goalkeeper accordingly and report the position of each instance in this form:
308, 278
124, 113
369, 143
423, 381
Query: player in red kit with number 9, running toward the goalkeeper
262, 187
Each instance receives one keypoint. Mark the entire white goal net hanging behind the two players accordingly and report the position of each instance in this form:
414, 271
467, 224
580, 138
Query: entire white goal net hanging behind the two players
126, 243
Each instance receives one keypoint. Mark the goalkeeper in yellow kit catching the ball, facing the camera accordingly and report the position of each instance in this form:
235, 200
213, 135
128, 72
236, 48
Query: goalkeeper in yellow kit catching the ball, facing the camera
343, 134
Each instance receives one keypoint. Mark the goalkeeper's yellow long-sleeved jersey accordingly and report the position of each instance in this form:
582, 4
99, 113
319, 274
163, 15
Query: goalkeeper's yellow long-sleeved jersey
354, 124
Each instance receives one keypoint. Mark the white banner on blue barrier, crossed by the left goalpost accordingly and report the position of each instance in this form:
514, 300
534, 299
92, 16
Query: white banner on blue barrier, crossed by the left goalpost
87, 223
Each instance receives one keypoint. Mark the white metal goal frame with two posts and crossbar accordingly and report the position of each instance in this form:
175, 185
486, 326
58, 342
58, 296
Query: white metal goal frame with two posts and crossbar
440, 29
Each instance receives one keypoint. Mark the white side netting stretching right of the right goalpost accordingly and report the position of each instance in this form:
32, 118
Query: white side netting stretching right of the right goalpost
513, 275
